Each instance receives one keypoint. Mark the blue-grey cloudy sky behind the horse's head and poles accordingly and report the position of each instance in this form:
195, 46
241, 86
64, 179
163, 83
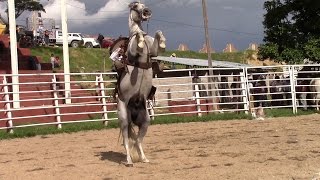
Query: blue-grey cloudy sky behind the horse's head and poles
230, 21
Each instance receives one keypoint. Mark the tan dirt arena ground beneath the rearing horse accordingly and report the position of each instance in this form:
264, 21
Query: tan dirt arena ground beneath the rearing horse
279, 148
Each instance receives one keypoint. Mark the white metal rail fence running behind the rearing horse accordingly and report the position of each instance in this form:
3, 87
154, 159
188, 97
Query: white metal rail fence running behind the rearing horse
186, 92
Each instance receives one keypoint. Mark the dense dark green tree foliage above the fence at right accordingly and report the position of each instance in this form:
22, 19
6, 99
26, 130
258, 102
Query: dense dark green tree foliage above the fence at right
292, 30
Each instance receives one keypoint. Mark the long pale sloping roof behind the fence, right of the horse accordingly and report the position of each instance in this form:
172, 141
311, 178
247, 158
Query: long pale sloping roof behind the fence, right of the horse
200, 62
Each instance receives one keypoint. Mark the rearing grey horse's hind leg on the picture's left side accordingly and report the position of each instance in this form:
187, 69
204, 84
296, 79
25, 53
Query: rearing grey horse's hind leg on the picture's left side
124, 124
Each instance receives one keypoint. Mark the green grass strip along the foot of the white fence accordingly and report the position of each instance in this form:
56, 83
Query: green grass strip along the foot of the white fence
77, 127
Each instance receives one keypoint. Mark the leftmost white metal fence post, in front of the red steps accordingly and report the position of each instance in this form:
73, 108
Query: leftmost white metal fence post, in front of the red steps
7, 106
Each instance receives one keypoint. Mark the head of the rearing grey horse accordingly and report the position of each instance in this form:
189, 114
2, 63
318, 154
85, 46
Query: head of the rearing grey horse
139, 12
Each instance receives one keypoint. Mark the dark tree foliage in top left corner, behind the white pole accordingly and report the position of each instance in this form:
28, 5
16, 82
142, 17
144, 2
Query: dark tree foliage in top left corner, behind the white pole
26, 5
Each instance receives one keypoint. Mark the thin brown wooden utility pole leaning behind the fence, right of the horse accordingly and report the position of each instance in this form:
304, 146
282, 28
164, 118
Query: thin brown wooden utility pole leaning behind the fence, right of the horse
210, 79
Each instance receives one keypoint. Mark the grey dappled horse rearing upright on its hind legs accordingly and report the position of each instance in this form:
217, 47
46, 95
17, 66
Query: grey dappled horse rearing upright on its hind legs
136, 82
